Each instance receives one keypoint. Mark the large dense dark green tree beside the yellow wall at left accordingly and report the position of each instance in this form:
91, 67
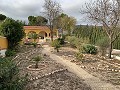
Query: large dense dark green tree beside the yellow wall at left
14, 32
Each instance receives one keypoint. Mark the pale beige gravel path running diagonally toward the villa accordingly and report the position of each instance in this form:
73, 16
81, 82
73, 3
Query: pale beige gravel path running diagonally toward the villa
94, 82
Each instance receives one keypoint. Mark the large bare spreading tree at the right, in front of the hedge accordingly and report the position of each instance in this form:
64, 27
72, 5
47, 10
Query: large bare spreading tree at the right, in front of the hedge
105, 13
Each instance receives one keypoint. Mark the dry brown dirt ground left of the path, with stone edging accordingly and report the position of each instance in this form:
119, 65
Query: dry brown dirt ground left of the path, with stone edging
48, 78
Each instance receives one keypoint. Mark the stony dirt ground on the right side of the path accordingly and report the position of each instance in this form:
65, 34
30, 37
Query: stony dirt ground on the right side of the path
105, 69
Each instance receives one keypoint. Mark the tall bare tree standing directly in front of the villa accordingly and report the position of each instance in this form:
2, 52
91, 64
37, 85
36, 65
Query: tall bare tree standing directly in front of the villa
52, 11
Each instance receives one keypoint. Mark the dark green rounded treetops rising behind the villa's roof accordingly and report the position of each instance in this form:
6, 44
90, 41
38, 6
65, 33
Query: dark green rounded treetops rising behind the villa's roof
38, 21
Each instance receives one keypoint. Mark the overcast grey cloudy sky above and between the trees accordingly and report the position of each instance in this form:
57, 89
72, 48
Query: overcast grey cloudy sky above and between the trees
21, 9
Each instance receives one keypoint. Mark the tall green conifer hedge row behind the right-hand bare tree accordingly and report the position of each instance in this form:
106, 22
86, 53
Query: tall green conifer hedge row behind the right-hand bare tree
94, 33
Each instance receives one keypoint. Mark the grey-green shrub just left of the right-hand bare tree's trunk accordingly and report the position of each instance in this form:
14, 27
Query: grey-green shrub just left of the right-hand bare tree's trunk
103, 45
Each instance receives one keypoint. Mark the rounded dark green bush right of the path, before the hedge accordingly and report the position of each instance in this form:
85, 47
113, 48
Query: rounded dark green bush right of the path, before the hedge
89, 49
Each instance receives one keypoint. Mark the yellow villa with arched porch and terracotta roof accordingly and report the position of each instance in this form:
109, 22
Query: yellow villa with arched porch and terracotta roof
42, 31
